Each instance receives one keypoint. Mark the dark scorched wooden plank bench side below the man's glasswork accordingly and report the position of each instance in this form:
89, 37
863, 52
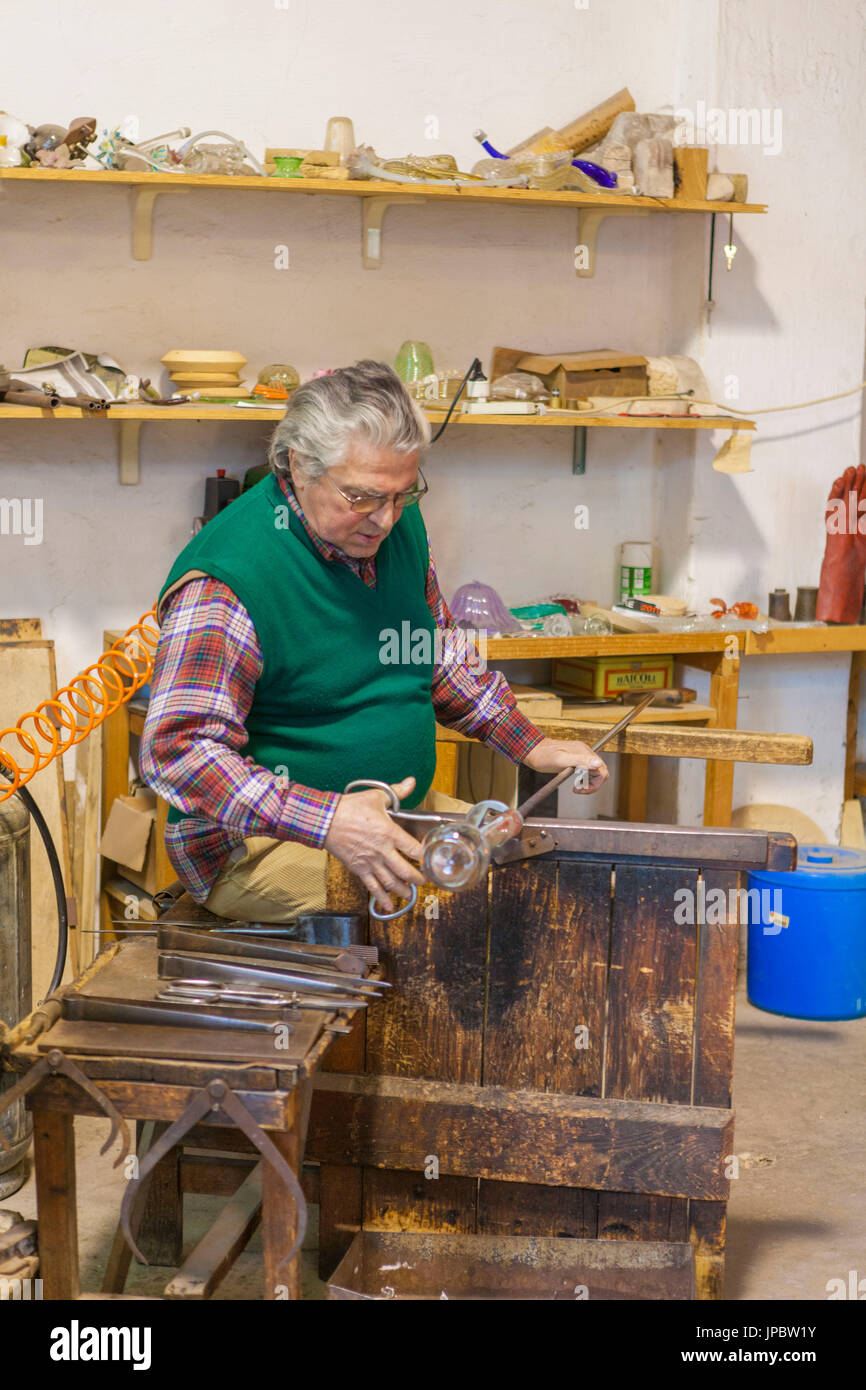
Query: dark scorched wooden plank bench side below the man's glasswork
555, 1058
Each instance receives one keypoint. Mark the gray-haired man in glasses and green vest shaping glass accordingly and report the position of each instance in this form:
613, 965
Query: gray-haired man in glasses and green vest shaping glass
270, 692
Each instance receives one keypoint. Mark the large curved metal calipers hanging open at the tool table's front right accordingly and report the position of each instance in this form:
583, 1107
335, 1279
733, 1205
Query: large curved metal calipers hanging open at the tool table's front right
216, 1097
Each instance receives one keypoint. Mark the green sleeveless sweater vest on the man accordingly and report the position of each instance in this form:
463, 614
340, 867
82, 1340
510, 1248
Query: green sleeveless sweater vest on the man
330, 705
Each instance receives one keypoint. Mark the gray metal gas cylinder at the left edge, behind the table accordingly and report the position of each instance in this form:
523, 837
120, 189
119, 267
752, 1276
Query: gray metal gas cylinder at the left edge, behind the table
16, 1000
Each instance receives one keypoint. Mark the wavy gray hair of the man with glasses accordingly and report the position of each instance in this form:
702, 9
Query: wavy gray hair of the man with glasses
325, 416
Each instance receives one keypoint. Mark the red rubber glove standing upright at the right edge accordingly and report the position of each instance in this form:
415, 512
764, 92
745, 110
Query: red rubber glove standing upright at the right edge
840, 593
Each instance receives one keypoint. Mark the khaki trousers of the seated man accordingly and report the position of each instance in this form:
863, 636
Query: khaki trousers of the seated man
270, 881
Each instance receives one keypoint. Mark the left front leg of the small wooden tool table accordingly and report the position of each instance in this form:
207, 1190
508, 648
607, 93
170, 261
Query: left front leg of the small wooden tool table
56, 1211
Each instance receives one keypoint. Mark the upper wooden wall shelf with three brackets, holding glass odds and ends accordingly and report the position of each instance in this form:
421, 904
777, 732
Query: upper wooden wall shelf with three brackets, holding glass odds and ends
376, 198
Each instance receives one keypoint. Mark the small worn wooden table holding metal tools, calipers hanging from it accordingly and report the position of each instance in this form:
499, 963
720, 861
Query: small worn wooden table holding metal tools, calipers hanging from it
156, 1090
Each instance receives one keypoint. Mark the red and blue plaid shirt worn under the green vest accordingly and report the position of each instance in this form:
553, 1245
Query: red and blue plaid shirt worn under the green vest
205, 678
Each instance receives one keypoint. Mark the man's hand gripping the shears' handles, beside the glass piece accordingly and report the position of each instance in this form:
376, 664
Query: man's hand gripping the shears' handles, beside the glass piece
373, 846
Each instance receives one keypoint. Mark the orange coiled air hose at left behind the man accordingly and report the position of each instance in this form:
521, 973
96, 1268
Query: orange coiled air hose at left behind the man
79, 708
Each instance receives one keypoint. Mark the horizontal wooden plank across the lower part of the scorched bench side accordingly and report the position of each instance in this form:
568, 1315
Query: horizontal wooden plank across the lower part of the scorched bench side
521, 1136
